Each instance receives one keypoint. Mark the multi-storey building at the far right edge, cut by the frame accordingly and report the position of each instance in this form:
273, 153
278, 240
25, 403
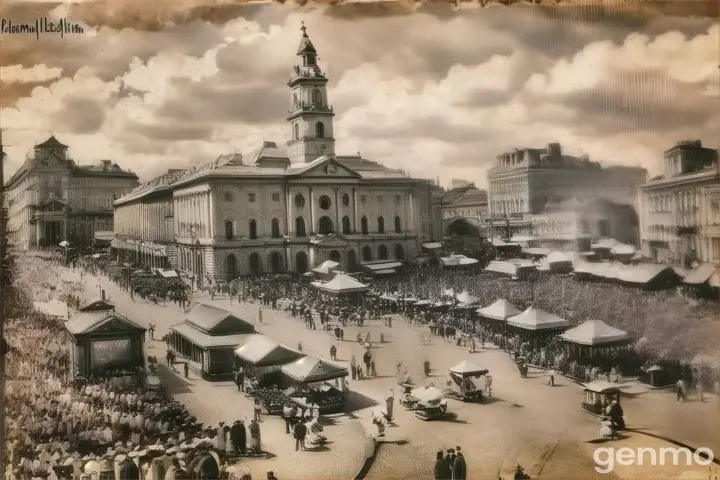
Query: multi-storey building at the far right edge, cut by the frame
670, 205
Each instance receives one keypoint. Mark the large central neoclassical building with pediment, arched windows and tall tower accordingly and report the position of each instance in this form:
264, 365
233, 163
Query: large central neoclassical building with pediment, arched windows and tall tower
280, 207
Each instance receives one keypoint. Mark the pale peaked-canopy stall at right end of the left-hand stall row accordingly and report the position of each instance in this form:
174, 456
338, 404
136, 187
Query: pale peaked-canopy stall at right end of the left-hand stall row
312, 379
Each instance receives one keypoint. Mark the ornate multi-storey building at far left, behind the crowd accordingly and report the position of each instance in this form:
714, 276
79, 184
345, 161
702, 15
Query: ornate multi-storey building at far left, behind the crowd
51, 198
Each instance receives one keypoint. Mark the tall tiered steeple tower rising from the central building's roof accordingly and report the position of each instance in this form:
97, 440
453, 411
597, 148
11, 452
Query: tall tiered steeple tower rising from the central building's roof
310, 115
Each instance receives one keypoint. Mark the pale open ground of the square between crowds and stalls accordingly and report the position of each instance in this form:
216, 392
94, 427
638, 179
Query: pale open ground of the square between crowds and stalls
526, 422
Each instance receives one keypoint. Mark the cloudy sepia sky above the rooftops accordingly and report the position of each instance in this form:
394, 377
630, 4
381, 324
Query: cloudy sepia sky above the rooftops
431, 90
